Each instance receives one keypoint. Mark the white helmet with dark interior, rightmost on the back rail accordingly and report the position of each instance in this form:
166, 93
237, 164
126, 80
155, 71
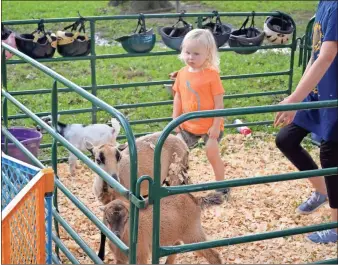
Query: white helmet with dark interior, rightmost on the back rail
278, 29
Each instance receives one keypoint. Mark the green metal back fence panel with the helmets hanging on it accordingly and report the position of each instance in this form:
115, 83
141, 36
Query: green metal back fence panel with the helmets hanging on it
93, 57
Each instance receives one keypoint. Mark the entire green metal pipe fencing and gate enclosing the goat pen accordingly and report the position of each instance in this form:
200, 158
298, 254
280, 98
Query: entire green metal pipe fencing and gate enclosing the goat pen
156, 191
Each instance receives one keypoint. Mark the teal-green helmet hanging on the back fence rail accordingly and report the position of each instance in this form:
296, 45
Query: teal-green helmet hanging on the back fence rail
139, 41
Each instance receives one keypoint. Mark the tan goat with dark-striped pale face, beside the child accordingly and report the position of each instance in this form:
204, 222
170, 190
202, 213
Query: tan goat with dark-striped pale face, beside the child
116, 162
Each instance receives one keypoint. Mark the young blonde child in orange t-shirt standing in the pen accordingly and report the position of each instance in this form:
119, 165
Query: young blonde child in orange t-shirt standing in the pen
198, 87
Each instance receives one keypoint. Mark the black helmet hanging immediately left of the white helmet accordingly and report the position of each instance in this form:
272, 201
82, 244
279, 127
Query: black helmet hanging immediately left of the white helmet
246, 37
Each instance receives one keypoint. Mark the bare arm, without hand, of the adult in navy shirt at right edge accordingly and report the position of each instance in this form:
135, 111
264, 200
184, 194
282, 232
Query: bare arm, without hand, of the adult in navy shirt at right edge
315, 72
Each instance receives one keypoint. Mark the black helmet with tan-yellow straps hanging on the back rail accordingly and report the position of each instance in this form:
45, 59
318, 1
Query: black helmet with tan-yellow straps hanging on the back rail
73, 44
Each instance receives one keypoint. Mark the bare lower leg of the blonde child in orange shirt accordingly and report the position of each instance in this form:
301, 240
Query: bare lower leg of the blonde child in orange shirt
214, 157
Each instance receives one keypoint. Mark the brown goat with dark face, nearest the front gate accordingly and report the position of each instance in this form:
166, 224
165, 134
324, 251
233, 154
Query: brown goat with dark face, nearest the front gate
180, 222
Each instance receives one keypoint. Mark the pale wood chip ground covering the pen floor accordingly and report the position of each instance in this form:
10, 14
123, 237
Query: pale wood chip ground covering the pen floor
250, 209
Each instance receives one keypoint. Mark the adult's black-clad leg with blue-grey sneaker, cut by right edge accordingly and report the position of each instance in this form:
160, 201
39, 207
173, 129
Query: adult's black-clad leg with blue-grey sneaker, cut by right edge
329, 158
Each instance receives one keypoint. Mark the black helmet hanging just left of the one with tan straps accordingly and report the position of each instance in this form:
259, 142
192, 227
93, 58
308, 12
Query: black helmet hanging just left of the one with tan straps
38, 44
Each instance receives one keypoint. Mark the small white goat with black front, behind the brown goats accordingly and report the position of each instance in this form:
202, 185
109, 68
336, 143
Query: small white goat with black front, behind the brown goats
77, 134
